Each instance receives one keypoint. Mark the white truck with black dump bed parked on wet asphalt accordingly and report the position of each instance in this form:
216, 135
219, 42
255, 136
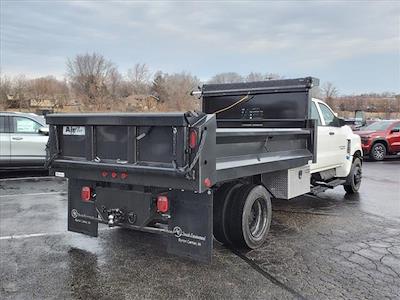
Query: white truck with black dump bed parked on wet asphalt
190, 176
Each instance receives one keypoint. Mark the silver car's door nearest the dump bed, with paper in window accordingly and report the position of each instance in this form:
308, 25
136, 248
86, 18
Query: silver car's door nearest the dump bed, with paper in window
28, 145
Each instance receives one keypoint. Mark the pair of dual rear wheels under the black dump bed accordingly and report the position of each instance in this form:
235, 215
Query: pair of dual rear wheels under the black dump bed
242, 215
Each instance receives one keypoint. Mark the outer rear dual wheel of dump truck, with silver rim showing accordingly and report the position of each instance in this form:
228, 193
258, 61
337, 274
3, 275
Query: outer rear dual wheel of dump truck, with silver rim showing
250, 217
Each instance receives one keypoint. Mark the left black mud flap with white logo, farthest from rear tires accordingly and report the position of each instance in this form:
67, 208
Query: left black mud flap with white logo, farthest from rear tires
78, 207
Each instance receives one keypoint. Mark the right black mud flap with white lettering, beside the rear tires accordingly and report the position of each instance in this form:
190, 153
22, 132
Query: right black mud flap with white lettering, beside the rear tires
191, 223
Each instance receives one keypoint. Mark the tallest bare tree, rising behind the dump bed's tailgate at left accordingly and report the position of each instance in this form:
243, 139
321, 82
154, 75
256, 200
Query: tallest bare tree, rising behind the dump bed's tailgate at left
90, 76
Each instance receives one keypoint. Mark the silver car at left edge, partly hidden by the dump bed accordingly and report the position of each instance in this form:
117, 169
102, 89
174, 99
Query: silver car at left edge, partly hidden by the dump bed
23, 138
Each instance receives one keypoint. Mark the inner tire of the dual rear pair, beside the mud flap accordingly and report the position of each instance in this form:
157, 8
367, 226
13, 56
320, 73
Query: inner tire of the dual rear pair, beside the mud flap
222, 200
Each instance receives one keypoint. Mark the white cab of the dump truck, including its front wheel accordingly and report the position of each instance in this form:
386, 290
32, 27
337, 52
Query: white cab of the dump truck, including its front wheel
339, 151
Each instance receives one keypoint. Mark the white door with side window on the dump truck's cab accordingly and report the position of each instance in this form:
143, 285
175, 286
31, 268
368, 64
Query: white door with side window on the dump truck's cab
332, 142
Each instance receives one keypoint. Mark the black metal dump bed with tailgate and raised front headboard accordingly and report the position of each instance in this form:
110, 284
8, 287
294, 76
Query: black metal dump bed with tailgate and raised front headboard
246, 129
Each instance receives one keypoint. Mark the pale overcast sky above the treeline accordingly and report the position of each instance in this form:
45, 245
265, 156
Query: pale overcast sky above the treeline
355, 45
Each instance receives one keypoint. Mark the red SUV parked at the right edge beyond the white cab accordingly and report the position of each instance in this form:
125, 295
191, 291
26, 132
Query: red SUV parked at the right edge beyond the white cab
380, 138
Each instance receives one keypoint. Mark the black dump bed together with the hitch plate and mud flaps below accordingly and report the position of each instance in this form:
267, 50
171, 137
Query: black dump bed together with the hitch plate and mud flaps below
128, 160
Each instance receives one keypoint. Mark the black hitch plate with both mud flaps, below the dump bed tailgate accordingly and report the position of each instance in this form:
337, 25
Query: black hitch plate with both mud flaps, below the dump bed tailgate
186, 225
